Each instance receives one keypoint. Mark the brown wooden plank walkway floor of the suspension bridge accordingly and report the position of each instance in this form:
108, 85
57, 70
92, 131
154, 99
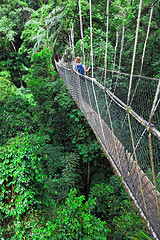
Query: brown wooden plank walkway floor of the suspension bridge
133, 176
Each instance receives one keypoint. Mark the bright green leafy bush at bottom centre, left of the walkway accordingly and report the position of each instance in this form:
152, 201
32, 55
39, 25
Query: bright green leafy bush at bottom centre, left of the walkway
75, 221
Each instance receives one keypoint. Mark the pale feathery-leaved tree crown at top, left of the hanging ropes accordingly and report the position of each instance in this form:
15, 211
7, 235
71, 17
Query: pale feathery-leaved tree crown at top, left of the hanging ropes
42, 29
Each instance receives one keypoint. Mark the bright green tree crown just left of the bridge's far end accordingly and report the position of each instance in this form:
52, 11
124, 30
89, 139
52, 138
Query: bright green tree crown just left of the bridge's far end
40, 76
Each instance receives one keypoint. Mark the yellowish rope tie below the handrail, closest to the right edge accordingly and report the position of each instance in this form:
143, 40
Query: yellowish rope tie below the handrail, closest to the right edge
153, 172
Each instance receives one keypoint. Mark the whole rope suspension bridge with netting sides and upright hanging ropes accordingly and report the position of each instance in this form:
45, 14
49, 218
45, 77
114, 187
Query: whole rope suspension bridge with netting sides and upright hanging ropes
125, 118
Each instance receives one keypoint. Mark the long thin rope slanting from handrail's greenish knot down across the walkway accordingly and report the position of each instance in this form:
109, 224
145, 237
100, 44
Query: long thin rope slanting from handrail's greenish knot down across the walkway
135, 155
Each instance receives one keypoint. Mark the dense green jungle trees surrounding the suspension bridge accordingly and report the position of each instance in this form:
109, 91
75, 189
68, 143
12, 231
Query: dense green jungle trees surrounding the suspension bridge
55, 180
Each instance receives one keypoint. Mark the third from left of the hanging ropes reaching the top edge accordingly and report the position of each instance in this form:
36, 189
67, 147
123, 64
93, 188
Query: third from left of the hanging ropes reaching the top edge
105, 60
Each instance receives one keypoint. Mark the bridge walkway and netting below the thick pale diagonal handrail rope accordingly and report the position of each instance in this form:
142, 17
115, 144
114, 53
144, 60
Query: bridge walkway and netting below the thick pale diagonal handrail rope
126, 147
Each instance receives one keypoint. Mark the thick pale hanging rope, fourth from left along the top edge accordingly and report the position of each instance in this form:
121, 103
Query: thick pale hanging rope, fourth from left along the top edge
134, 52
